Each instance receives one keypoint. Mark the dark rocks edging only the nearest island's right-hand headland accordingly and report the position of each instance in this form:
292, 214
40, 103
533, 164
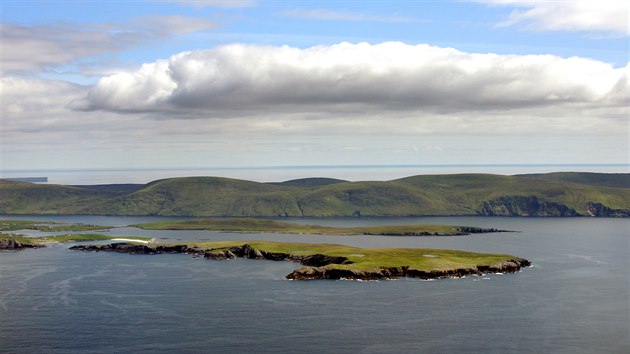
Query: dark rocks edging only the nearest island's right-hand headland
308, 273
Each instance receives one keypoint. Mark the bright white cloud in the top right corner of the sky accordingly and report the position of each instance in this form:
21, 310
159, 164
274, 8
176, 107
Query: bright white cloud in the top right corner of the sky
572, 15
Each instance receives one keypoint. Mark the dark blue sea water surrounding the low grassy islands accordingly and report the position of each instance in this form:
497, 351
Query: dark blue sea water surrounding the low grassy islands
574, 300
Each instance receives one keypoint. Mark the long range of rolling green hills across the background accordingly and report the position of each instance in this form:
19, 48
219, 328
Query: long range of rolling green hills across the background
558, 194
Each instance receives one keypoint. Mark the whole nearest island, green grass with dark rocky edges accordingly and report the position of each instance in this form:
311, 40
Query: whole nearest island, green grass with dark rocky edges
332, 261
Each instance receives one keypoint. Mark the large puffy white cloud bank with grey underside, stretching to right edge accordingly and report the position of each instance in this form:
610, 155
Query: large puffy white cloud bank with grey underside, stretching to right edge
388, 77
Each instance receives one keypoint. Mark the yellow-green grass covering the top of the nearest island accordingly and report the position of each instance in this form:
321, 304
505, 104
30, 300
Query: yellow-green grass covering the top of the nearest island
366, 259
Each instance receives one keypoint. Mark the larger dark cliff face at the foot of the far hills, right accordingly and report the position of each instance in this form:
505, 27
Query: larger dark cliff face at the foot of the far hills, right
523, 206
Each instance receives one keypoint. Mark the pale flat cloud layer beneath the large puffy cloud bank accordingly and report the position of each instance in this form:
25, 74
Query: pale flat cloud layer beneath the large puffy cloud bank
39, 130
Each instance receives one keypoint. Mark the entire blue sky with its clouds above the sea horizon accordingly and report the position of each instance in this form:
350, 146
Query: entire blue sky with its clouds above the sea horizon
254, 83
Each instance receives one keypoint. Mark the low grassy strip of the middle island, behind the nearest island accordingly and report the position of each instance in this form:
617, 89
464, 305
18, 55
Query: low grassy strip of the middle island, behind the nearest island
258, 225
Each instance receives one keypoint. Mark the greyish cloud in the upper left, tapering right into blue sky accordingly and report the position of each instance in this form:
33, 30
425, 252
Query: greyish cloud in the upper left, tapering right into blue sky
38, 47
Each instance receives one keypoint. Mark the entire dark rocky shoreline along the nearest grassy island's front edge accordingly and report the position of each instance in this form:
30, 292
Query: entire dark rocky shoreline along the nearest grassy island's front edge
315, 266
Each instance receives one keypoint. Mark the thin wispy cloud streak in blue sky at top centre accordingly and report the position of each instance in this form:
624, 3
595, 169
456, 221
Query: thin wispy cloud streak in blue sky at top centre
330, 15
